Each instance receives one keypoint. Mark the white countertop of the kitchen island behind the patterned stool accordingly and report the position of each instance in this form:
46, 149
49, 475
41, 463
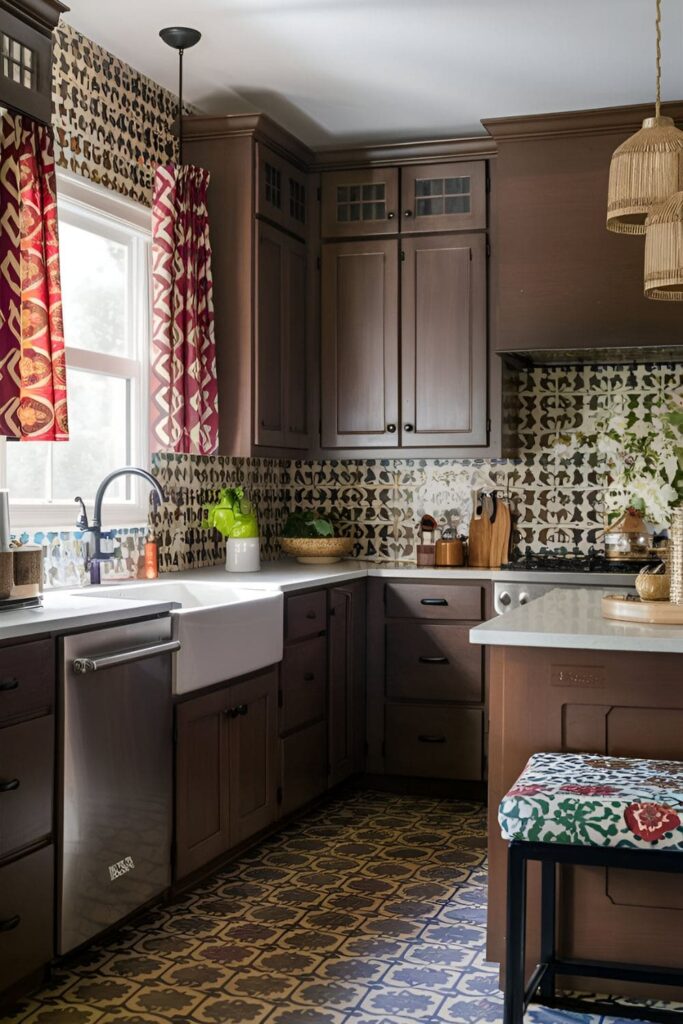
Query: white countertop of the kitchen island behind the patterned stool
574, 619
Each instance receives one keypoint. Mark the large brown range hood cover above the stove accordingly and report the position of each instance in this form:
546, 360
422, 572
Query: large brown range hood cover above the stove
562, 282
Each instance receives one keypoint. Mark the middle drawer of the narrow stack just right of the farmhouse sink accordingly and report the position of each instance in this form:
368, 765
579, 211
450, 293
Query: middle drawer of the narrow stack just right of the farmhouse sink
304, 684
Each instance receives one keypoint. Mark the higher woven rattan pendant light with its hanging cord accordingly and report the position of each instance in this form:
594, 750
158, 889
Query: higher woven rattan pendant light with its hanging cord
646, 169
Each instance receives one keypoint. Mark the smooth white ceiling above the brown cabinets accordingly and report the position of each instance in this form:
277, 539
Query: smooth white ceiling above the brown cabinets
346, 71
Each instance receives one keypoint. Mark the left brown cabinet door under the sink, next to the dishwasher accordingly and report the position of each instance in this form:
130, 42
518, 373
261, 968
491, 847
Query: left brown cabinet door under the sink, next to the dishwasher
202, 792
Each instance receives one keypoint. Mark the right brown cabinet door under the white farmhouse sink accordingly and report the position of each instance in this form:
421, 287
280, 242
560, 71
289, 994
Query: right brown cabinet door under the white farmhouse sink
253, 764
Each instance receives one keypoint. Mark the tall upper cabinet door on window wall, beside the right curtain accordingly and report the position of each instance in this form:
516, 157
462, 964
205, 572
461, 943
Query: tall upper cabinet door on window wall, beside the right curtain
282, 364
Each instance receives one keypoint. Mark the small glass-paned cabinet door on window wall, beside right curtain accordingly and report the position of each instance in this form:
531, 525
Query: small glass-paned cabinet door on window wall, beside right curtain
283, 192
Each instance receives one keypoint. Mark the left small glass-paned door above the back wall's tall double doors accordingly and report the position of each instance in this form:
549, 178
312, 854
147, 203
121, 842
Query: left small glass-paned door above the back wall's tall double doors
332, 228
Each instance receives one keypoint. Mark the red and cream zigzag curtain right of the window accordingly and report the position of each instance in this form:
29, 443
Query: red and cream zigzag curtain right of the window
185, 391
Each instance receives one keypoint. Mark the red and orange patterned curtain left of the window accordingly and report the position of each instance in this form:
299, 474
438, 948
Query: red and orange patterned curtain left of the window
33, 374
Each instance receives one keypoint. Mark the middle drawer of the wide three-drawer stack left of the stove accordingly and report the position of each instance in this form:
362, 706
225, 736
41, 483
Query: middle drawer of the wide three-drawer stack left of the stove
433, 663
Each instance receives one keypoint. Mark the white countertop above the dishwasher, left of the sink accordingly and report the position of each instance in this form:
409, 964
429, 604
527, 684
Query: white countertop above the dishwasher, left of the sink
64, 612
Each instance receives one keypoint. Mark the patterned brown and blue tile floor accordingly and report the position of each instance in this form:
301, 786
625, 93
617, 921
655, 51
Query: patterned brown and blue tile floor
370, 911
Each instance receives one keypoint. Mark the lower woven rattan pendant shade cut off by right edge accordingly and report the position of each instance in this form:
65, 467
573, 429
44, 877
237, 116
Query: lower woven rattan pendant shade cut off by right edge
664, 251
